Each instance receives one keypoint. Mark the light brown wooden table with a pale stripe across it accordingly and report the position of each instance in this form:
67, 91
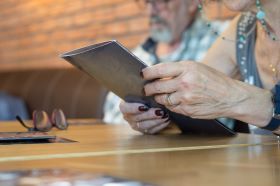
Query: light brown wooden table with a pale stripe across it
168, 159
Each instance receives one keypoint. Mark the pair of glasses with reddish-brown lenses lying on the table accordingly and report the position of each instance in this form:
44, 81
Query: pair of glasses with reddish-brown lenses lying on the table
42, 122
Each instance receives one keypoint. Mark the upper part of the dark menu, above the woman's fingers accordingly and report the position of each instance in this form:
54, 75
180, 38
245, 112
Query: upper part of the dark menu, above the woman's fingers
113, 66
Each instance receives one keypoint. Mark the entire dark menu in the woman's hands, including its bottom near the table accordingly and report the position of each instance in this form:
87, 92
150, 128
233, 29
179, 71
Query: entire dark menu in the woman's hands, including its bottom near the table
115, 67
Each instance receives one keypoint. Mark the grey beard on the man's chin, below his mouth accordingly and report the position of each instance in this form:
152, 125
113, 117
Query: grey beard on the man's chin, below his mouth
162, 35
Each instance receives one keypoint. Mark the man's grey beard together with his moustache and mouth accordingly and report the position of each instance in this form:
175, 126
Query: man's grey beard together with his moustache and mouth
163, 34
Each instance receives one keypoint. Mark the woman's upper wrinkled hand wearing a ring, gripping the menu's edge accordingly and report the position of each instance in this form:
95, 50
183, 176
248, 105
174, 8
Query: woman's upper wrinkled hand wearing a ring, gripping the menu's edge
193, 89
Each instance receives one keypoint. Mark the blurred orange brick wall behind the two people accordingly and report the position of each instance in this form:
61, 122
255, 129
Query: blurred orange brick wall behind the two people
34, 32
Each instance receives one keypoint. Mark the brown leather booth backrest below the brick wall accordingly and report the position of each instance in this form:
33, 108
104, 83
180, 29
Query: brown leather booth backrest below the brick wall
79, 95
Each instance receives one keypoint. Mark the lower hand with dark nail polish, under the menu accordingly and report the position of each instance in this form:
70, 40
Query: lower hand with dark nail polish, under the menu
144, 119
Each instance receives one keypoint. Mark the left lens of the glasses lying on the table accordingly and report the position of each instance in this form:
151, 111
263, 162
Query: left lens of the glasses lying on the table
41, 121
